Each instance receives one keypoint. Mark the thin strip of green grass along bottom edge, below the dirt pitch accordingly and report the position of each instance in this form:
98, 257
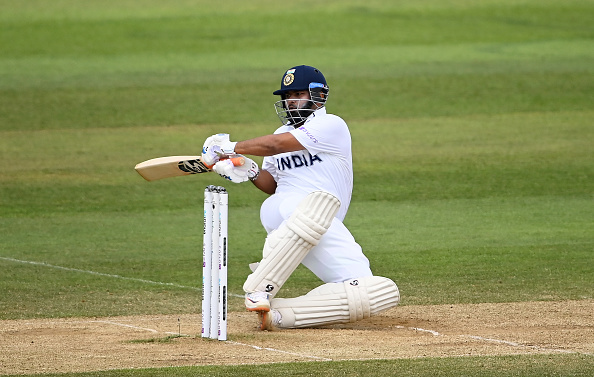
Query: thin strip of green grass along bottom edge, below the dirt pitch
536, 366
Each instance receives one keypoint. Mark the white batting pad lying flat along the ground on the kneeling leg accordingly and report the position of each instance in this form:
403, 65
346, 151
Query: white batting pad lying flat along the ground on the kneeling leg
335, 303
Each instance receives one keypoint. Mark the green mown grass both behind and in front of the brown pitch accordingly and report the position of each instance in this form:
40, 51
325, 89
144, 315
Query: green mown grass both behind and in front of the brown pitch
473, 130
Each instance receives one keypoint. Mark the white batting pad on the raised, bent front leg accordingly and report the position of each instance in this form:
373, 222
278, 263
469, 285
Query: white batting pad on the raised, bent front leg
286, 247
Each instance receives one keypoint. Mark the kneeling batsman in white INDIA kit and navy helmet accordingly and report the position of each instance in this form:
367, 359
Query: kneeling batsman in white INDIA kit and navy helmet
308, 172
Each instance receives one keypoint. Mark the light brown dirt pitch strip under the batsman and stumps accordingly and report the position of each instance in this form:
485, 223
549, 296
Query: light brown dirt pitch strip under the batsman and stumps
90, 344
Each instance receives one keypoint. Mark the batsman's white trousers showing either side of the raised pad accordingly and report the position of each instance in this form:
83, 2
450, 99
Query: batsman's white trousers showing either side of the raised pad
337, 258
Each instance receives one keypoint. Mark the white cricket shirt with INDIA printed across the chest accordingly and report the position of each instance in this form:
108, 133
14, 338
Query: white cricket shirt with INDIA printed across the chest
325, 164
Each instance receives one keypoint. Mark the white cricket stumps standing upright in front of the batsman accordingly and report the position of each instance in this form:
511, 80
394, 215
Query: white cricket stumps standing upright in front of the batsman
214, 265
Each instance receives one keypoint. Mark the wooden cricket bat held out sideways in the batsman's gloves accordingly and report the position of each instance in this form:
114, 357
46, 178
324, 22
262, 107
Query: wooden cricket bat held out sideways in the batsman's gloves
176, 166
